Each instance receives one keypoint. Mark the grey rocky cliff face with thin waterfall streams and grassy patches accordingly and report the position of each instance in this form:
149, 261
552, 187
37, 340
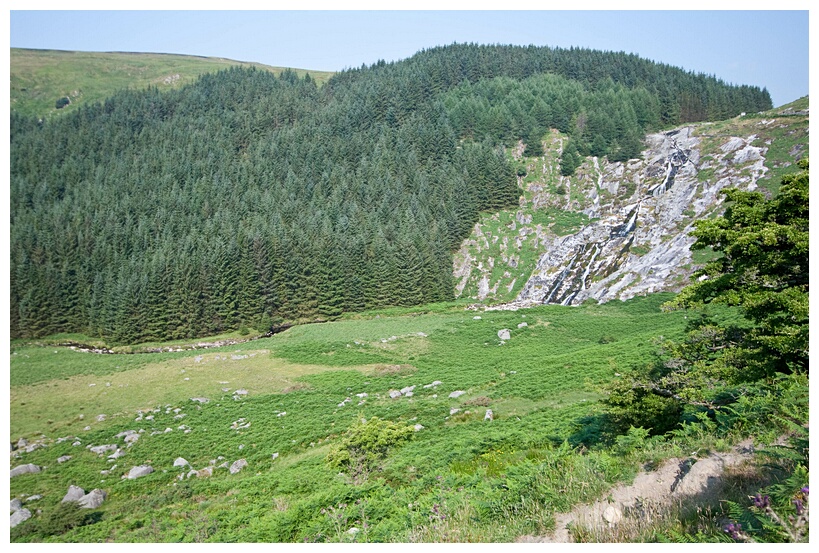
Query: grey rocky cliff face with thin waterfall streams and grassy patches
629, 223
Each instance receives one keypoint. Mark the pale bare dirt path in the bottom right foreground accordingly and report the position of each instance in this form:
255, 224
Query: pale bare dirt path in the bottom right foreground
673, 482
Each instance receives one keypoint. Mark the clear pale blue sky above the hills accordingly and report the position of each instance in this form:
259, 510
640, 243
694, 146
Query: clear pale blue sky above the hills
761, 48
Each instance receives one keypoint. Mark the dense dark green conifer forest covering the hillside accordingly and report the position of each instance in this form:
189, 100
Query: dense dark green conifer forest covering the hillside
245, 198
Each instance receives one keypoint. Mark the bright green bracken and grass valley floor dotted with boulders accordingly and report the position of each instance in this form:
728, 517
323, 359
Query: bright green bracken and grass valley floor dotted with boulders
459, 478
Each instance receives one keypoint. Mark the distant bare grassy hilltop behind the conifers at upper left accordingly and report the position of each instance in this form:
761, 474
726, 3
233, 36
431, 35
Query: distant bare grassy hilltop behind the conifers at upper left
41, 77
